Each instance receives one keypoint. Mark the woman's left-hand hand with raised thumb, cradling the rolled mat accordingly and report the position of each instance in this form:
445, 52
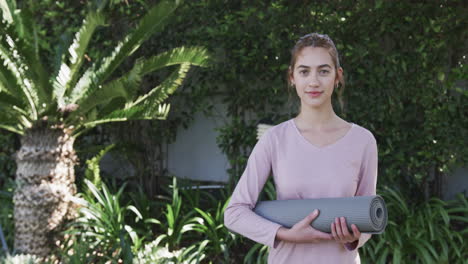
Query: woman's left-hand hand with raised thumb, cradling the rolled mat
303, 232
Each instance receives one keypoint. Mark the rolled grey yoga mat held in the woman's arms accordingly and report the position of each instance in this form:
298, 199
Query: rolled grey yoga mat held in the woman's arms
368, 213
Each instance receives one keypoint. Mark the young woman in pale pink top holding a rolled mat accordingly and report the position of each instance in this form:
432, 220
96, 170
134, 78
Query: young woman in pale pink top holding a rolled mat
317, 154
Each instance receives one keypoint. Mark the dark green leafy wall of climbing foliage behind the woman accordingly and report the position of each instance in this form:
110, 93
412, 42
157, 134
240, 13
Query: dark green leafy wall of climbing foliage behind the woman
404, 62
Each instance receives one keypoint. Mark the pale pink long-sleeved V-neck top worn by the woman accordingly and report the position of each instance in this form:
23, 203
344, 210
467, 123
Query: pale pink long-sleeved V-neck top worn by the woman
345, 168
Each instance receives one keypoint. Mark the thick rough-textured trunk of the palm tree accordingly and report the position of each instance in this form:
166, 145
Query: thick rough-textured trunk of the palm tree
45, 181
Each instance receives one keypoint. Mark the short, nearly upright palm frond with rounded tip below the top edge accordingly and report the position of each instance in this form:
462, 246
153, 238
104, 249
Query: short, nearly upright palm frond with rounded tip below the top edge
68, 73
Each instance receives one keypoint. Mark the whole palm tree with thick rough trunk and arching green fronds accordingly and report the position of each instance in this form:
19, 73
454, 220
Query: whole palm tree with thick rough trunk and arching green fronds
51, 109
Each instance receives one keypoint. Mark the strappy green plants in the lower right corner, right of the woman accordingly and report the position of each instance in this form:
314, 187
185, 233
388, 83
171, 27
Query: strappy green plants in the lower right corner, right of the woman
431, 232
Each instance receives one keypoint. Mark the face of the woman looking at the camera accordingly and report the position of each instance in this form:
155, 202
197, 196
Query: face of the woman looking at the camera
314, 76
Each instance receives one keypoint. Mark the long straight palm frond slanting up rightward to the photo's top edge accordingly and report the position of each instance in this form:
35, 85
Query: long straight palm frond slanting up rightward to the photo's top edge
154, 21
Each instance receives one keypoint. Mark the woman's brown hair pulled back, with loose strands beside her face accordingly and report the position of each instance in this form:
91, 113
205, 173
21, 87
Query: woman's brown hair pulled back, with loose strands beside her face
317, 40
